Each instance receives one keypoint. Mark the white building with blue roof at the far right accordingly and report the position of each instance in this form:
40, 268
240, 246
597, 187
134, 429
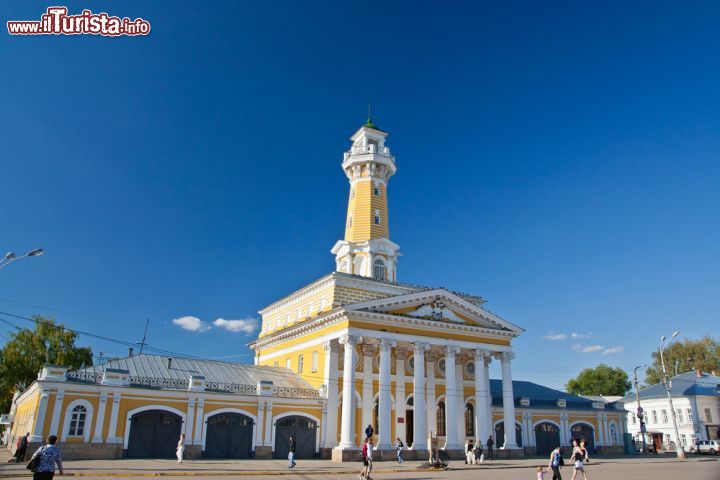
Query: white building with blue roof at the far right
696, 400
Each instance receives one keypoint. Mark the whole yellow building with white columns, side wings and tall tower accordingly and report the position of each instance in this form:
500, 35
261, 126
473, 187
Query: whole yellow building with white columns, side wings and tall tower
351, 349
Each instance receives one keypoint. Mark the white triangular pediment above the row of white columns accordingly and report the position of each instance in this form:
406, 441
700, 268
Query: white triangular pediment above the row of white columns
437, 305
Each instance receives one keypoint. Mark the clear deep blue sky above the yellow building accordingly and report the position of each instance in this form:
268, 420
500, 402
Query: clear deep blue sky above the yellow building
560, 159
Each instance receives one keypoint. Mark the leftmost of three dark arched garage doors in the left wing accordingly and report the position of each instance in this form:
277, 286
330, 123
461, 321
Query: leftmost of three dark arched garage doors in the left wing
154, 434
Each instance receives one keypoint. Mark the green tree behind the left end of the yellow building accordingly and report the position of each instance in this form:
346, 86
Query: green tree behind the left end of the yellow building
28, 350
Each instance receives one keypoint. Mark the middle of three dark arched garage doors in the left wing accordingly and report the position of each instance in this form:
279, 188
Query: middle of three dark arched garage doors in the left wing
229, 435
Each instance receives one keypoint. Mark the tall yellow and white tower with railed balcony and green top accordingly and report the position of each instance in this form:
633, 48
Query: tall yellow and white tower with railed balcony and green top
367, 249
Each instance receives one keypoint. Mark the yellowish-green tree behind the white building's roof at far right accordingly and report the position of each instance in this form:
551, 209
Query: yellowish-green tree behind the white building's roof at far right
685, 356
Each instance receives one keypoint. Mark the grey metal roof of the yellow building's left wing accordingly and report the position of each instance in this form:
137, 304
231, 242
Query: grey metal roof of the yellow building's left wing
158, 366
